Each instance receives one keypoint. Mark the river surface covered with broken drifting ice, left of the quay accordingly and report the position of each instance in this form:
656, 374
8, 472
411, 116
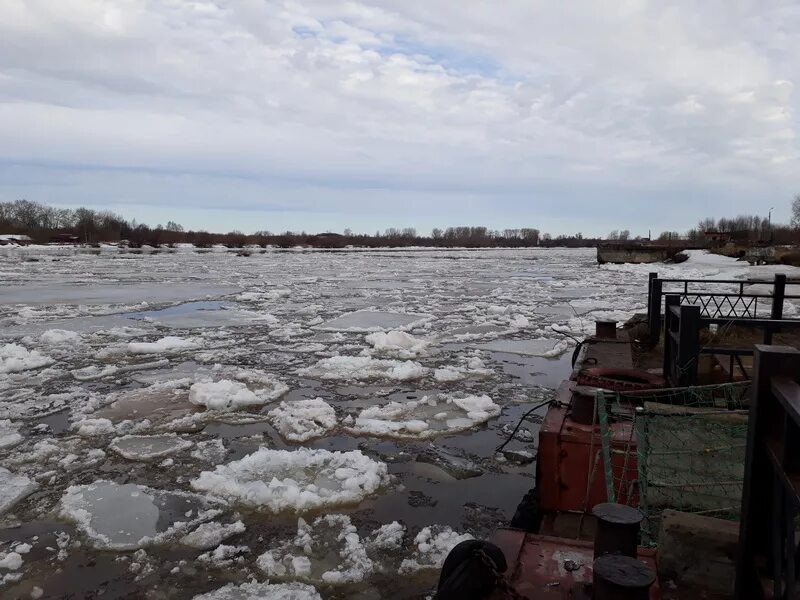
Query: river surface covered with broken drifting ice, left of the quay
292, 424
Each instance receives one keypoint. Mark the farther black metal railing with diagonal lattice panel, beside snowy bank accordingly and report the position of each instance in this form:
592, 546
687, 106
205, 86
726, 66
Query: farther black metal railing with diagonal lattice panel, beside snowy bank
728, 299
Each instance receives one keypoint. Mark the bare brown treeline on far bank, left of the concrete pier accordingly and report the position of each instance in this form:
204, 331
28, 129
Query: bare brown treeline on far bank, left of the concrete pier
45, 224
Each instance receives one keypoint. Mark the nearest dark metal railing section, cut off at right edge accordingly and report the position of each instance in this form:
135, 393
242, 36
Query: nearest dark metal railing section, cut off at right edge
771, 490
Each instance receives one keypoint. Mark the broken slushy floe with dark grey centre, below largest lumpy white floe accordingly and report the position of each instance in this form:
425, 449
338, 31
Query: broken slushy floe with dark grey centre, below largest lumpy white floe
329, 550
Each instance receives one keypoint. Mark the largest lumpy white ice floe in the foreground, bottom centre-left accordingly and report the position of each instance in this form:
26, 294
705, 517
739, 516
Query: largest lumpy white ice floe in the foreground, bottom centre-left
299, 480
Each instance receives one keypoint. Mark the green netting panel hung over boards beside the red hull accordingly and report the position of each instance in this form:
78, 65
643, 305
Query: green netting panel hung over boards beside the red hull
689, 447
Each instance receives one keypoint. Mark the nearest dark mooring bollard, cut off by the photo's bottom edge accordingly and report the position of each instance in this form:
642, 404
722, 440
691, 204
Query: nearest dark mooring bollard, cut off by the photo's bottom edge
621, 578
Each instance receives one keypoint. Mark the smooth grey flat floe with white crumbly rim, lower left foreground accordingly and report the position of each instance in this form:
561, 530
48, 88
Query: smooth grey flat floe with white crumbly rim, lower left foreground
128, 516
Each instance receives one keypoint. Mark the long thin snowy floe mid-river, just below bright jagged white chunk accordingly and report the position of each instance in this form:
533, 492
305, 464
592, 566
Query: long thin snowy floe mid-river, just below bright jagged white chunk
364, 367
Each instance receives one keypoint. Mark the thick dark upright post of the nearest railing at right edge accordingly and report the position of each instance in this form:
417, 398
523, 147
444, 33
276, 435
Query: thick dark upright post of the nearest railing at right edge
759, 494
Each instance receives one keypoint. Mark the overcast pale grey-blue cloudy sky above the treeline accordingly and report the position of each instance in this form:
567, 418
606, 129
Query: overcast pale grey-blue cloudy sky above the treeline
320, 115
